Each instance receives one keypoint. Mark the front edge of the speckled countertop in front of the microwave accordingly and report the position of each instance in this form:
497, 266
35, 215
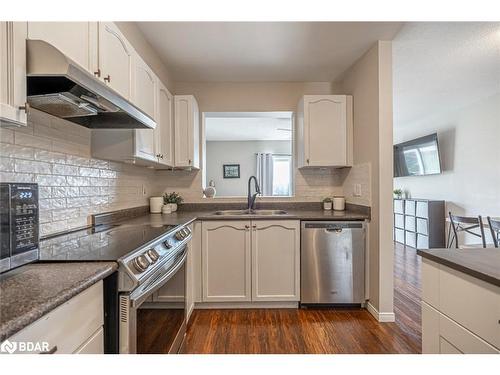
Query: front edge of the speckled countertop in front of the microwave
23, 321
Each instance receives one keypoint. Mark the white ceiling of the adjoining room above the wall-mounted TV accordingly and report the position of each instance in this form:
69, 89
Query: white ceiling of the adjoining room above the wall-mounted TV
443, 66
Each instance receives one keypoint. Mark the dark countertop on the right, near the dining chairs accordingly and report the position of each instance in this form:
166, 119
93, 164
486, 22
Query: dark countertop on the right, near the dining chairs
483, 264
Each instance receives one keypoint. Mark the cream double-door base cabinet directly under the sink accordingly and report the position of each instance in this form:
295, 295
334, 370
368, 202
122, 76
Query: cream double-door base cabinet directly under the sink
246, 261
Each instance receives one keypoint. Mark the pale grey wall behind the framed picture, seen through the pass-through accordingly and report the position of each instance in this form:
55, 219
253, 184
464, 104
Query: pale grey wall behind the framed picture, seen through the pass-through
238, 152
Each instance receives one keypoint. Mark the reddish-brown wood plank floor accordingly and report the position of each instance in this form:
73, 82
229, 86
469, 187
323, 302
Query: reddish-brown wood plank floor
275, 331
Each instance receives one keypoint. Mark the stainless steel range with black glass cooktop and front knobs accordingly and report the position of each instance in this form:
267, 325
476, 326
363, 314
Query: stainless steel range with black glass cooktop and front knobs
149, 258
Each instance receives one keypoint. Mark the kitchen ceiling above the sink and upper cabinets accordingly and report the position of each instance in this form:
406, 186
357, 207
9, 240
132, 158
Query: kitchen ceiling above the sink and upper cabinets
263, 51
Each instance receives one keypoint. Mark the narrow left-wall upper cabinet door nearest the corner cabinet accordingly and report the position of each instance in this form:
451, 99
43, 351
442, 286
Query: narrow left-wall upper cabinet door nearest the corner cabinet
164, 124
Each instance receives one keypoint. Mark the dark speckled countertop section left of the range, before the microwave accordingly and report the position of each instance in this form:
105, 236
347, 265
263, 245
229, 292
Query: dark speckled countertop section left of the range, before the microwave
31, 291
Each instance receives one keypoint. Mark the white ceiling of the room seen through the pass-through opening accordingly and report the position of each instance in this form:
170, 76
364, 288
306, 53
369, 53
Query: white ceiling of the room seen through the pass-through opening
242, 127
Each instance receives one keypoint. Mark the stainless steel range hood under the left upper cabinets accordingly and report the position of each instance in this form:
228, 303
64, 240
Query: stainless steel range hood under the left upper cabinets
60, 87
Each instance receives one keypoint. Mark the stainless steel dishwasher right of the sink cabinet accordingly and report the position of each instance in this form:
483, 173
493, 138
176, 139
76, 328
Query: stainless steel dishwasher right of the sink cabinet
332, 262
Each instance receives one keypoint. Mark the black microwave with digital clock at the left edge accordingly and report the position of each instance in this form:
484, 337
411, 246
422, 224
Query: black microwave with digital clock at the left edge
19, 224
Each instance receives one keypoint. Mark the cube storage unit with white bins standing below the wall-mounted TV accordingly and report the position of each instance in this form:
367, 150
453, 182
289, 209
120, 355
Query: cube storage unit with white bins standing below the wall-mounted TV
419, 223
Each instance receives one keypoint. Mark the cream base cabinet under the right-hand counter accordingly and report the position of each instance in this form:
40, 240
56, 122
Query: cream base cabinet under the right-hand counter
459, 312
